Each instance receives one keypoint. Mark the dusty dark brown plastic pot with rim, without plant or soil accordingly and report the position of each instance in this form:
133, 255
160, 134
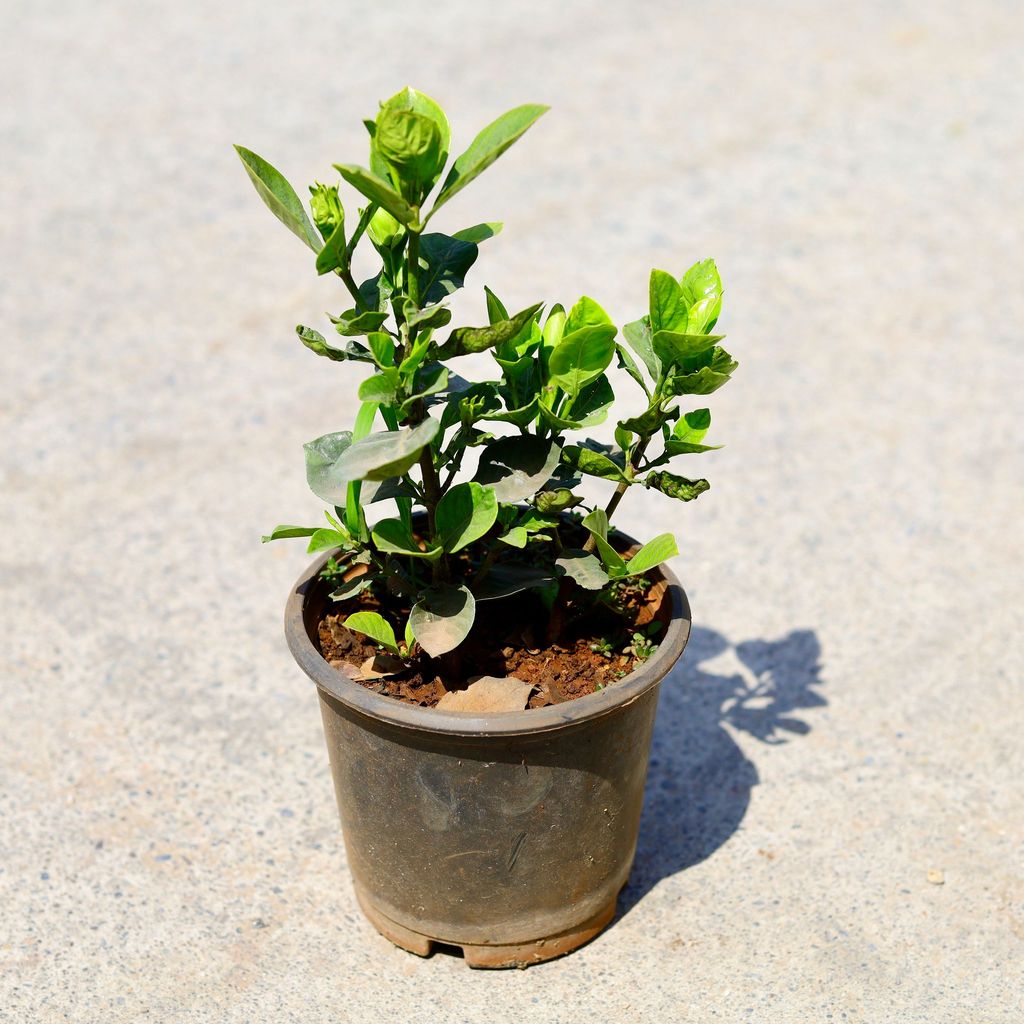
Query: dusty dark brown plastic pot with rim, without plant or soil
508, 835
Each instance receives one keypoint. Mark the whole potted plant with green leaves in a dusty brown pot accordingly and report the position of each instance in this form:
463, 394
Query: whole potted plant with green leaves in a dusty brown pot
488, 656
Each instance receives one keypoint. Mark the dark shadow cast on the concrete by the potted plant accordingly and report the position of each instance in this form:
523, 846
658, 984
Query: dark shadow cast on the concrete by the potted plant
700, 781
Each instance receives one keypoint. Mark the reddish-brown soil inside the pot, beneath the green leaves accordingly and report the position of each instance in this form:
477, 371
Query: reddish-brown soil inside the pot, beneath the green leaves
593, 651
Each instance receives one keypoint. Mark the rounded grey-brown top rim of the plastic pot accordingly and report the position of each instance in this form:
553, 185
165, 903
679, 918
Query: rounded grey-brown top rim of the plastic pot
534, 720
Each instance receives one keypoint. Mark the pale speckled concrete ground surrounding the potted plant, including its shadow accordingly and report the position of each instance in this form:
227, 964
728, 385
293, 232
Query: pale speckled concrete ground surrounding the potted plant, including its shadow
849, 716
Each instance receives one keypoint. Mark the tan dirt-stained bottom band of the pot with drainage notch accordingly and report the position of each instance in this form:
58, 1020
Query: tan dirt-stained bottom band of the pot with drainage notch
521, 955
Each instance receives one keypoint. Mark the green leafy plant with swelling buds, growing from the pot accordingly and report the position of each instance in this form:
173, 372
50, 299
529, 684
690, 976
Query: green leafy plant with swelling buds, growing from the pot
528, 424
